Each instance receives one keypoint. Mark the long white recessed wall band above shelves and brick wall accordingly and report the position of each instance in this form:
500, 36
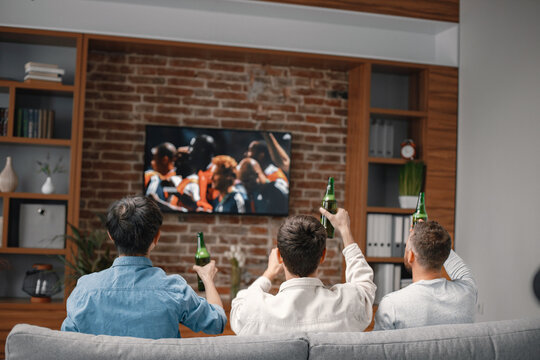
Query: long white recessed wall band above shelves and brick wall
253, 24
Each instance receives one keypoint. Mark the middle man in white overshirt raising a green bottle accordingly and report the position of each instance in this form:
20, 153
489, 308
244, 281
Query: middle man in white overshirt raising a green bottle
303, 303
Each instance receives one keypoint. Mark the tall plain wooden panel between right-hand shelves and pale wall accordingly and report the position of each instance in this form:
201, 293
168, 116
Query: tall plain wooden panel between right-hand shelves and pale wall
441, 146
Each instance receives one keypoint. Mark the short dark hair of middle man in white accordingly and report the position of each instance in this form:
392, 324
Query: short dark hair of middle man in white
301, 242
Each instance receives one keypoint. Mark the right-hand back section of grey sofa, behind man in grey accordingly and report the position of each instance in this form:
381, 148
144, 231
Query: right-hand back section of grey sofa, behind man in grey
512, 339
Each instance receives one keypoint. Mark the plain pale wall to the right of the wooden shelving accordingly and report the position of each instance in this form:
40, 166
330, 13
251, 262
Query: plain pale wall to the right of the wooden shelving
498, 170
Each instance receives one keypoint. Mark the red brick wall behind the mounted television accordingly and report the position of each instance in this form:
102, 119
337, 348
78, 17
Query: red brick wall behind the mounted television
125, 92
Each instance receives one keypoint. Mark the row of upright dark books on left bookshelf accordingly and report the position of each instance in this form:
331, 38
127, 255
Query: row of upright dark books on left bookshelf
35, 123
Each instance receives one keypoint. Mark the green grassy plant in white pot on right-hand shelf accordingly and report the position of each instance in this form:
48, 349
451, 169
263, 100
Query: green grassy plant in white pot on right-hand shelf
411, 176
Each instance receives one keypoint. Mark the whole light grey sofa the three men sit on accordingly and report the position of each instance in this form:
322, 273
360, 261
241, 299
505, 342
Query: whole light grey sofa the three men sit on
512, 339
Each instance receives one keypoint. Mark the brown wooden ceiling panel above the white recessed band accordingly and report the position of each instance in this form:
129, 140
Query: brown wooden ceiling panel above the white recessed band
442, 10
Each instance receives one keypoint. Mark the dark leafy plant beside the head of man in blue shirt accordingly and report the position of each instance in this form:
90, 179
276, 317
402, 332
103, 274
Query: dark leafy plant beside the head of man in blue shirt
90, 252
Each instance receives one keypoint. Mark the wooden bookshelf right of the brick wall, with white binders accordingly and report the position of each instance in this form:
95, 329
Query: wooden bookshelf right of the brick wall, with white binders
415, 102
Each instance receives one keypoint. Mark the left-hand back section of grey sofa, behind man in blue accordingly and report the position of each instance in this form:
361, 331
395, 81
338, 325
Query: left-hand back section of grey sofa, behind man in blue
34, 342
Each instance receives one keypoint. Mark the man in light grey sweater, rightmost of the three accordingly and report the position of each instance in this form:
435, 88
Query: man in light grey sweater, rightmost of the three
430, 299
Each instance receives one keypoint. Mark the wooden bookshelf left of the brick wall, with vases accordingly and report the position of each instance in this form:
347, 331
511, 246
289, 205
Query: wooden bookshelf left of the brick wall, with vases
19, 46
